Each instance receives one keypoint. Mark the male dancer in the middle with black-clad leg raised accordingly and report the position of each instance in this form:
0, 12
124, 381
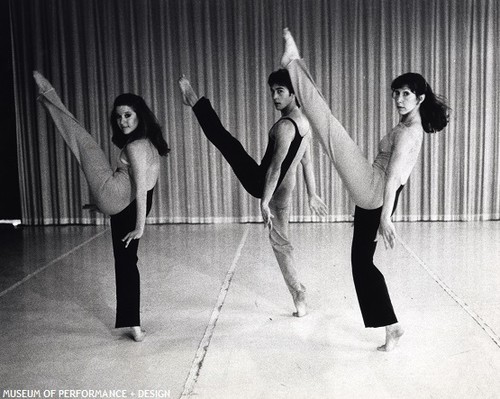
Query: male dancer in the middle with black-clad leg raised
274, 179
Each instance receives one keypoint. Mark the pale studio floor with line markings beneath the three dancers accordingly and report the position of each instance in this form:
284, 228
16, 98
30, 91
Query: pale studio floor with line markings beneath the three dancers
218, 314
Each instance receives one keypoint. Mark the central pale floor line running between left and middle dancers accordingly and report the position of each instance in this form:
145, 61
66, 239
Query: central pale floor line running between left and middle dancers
199, 357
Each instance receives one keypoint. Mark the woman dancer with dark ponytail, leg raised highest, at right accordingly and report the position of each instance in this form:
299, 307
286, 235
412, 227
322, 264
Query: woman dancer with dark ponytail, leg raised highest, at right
373, 187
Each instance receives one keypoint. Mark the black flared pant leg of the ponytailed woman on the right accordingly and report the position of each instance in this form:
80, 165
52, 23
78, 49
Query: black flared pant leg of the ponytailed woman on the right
371, 289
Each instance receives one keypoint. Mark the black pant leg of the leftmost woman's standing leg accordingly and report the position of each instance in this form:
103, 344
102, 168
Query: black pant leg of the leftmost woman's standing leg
126, 271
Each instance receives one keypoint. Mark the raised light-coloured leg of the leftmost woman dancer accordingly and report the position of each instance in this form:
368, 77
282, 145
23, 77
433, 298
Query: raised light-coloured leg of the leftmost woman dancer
111, 191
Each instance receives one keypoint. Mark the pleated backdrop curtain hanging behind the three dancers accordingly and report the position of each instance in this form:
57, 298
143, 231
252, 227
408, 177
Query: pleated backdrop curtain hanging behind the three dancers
93, 50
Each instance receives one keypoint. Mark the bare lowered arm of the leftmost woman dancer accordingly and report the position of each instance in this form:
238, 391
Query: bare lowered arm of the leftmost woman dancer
137, 152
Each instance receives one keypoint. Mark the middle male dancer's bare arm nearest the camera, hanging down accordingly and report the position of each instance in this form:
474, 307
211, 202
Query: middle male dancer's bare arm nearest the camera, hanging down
283, 133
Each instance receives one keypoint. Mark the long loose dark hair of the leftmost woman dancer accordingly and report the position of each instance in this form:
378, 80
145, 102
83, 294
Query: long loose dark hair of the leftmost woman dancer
148, 126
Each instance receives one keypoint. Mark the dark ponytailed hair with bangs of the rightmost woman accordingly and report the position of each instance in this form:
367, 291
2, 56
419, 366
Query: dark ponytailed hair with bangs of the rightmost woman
434, 111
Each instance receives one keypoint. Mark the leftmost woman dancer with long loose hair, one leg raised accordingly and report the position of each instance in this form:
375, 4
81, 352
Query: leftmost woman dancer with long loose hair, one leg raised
126, 193
